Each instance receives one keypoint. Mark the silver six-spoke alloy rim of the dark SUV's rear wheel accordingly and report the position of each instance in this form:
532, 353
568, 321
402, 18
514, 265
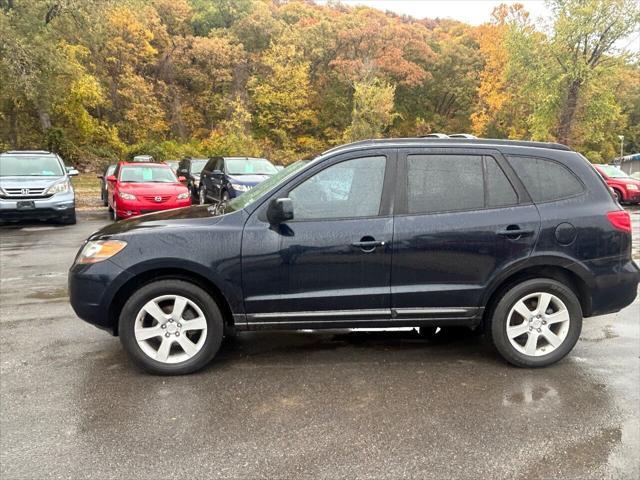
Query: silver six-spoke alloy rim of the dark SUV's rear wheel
538, 324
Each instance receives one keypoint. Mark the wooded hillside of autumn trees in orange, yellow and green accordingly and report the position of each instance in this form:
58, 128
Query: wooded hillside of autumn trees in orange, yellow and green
101, 80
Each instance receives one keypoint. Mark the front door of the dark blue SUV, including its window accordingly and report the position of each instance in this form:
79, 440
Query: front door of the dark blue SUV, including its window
331, 264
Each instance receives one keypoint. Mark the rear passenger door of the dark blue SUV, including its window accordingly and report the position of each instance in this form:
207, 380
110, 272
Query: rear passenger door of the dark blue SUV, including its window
462, 217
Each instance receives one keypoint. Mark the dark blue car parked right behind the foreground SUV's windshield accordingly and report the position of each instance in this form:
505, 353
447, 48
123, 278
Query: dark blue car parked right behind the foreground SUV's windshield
224, 178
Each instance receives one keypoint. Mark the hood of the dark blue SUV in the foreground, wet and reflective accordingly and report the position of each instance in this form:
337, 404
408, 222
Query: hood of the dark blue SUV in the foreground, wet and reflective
187, 217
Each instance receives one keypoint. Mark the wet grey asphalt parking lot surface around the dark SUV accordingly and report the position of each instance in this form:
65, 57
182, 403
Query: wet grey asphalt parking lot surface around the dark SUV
299, 405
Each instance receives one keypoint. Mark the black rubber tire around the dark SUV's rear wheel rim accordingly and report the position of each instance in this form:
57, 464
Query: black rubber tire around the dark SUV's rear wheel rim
497, 328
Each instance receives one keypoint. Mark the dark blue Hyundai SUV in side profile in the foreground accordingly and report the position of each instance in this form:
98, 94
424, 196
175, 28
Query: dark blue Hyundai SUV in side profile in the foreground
520, 239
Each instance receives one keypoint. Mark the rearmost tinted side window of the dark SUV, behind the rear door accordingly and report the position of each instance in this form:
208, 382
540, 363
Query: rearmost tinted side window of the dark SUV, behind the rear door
545, 180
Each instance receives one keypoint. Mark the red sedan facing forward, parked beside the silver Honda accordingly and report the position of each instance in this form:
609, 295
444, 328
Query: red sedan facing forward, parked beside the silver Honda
139, 188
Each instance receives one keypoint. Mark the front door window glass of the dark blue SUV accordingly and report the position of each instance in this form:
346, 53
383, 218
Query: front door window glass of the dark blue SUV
345, 190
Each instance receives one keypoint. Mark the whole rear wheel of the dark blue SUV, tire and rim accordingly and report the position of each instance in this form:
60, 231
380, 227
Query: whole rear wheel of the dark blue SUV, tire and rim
536, 323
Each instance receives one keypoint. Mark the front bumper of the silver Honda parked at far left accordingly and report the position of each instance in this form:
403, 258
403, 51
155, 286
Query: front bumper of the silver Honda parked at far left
56, 206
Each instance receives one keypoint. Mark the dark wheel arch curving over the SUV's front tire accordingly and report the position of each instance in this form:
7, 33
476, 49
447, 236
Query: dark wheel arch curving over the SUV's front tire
175, 273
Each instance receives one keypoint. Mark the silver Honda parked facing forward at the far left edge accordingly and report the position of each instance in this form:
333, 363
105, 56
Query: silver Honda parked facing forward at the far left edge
36, 185
